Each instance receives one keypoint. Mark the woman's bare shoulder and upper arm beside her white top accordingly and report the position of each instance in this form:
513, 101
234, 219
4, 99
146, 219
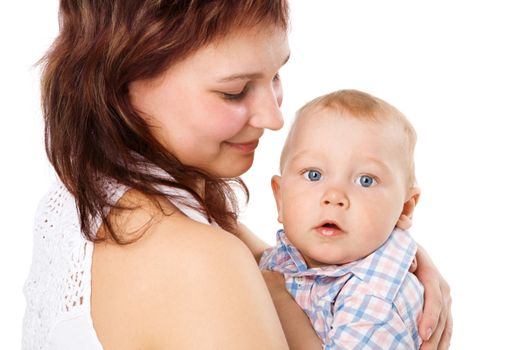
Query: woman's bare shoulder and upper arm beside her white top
179, 278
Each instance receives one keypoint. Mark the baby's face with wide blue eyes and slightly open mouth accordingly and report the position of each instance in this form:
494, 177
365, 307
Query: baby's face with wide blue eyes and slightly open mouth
343, 186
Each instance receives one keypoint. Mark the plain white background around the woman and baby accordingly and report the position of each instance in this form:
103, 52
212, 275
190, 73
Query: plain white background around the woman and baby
455, 68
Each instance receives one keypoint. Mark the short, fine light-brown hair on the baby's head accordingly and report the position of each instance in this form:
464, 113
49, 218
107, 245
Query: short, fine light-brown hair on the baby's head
361, 105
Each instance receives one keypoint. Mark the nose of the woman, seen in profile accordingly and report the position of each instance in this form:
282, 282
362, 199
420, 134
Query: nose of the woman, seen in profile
266, 112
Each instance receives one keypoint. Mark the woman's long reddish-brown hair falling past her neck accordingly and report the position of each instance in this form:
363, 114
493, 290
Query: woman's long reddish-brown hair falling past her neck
92, 132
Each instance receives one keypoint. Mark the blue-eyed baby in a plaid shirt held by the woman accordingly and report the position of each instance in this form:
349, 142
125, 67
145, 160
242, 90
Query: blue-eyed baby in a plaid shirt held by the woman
346, 189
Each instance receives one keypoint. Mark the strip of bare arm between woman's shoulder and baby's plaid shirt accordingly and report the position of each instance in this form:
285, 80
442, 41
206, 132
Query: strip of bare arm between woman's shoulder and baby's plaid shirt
296, 324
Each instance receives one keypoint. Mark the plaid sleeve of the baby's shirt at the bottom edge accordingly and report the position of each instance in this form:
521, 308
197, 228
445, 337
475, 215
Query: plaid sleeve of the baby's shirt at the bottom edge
367, 322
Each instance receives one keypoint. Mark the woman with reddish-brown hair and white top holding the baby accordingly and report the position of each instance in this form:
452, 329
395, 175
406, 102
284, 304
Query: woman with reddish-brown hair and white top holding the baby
152, 109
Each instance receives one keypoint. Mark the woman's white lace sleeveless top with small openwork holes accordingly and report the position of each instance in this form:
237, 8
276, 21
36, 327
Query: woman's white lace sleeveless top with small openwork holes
58, 289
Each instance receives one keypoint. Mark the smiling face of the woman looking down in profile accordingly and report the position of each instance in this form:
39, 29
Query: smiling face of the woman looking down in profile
210, 109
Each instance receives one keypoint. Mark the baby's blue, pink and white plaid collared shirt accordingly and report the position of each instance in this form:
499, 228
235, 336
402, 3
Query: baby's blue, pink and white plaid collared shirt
371, 303
